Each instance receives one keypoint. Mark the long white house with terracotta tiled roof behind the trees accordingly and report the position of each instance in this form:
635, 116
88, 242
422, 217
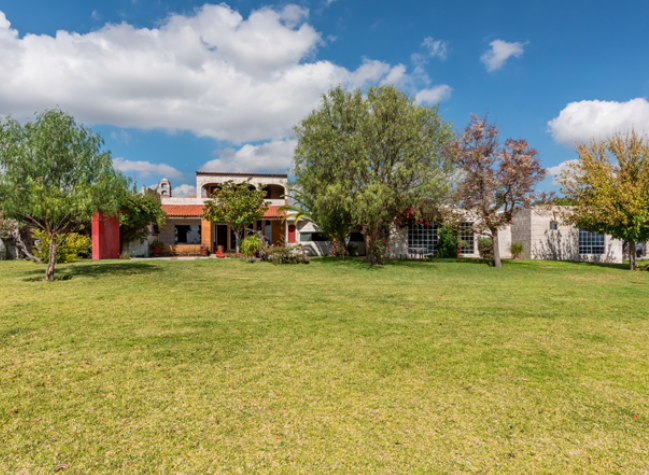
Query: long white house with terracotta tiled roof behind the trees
540, 230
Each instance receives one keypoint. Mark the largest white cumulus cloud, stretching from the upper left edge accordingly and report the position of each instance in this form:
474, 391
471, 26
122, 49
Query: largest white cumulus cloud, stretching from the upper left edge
211, 72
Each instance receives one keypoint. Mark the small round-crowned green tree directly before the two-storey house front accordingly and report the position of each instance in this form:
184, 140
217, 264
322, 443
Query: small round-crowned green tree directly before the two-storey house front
239, 205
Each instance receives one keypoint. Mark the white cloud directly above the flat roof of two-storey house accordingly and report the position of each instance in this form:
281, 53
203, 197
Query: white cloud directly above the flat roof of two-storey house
275, 156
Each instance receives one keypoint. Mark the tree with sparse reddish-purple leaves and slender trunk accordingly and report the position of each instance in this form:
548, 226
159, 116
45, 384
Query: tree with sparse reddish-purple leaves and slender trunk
495, 181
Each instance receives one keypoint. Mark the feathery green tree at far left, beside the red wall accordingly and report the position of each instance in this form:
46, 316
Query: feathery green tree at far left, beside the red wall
55, 175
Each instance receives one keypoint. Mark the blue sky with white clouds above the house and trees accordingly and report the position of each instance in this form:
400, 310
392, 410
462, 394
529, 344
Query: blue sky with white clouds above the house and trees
179, 86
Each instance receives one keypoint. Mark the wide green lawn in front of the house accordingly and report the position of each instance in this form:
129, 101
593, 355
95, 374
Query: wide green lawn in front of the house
212, 366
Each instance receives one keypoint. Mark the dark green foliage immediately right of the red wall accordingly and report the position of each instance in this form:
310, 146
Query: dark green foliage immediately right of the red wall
136, 213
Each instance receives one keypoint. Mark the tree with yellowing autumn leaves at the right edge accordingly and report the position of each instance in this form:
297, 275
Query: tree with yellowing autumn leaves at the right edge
610, 186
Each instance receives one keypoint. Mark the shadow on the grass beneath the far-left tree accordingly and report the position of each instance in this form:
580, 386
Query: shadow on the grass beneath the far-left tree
70, 271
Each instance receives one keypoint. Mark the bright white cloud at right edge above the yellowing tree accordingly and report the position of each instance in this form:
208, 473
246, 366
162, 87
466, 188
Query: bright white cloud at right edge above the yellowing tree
585, 120
